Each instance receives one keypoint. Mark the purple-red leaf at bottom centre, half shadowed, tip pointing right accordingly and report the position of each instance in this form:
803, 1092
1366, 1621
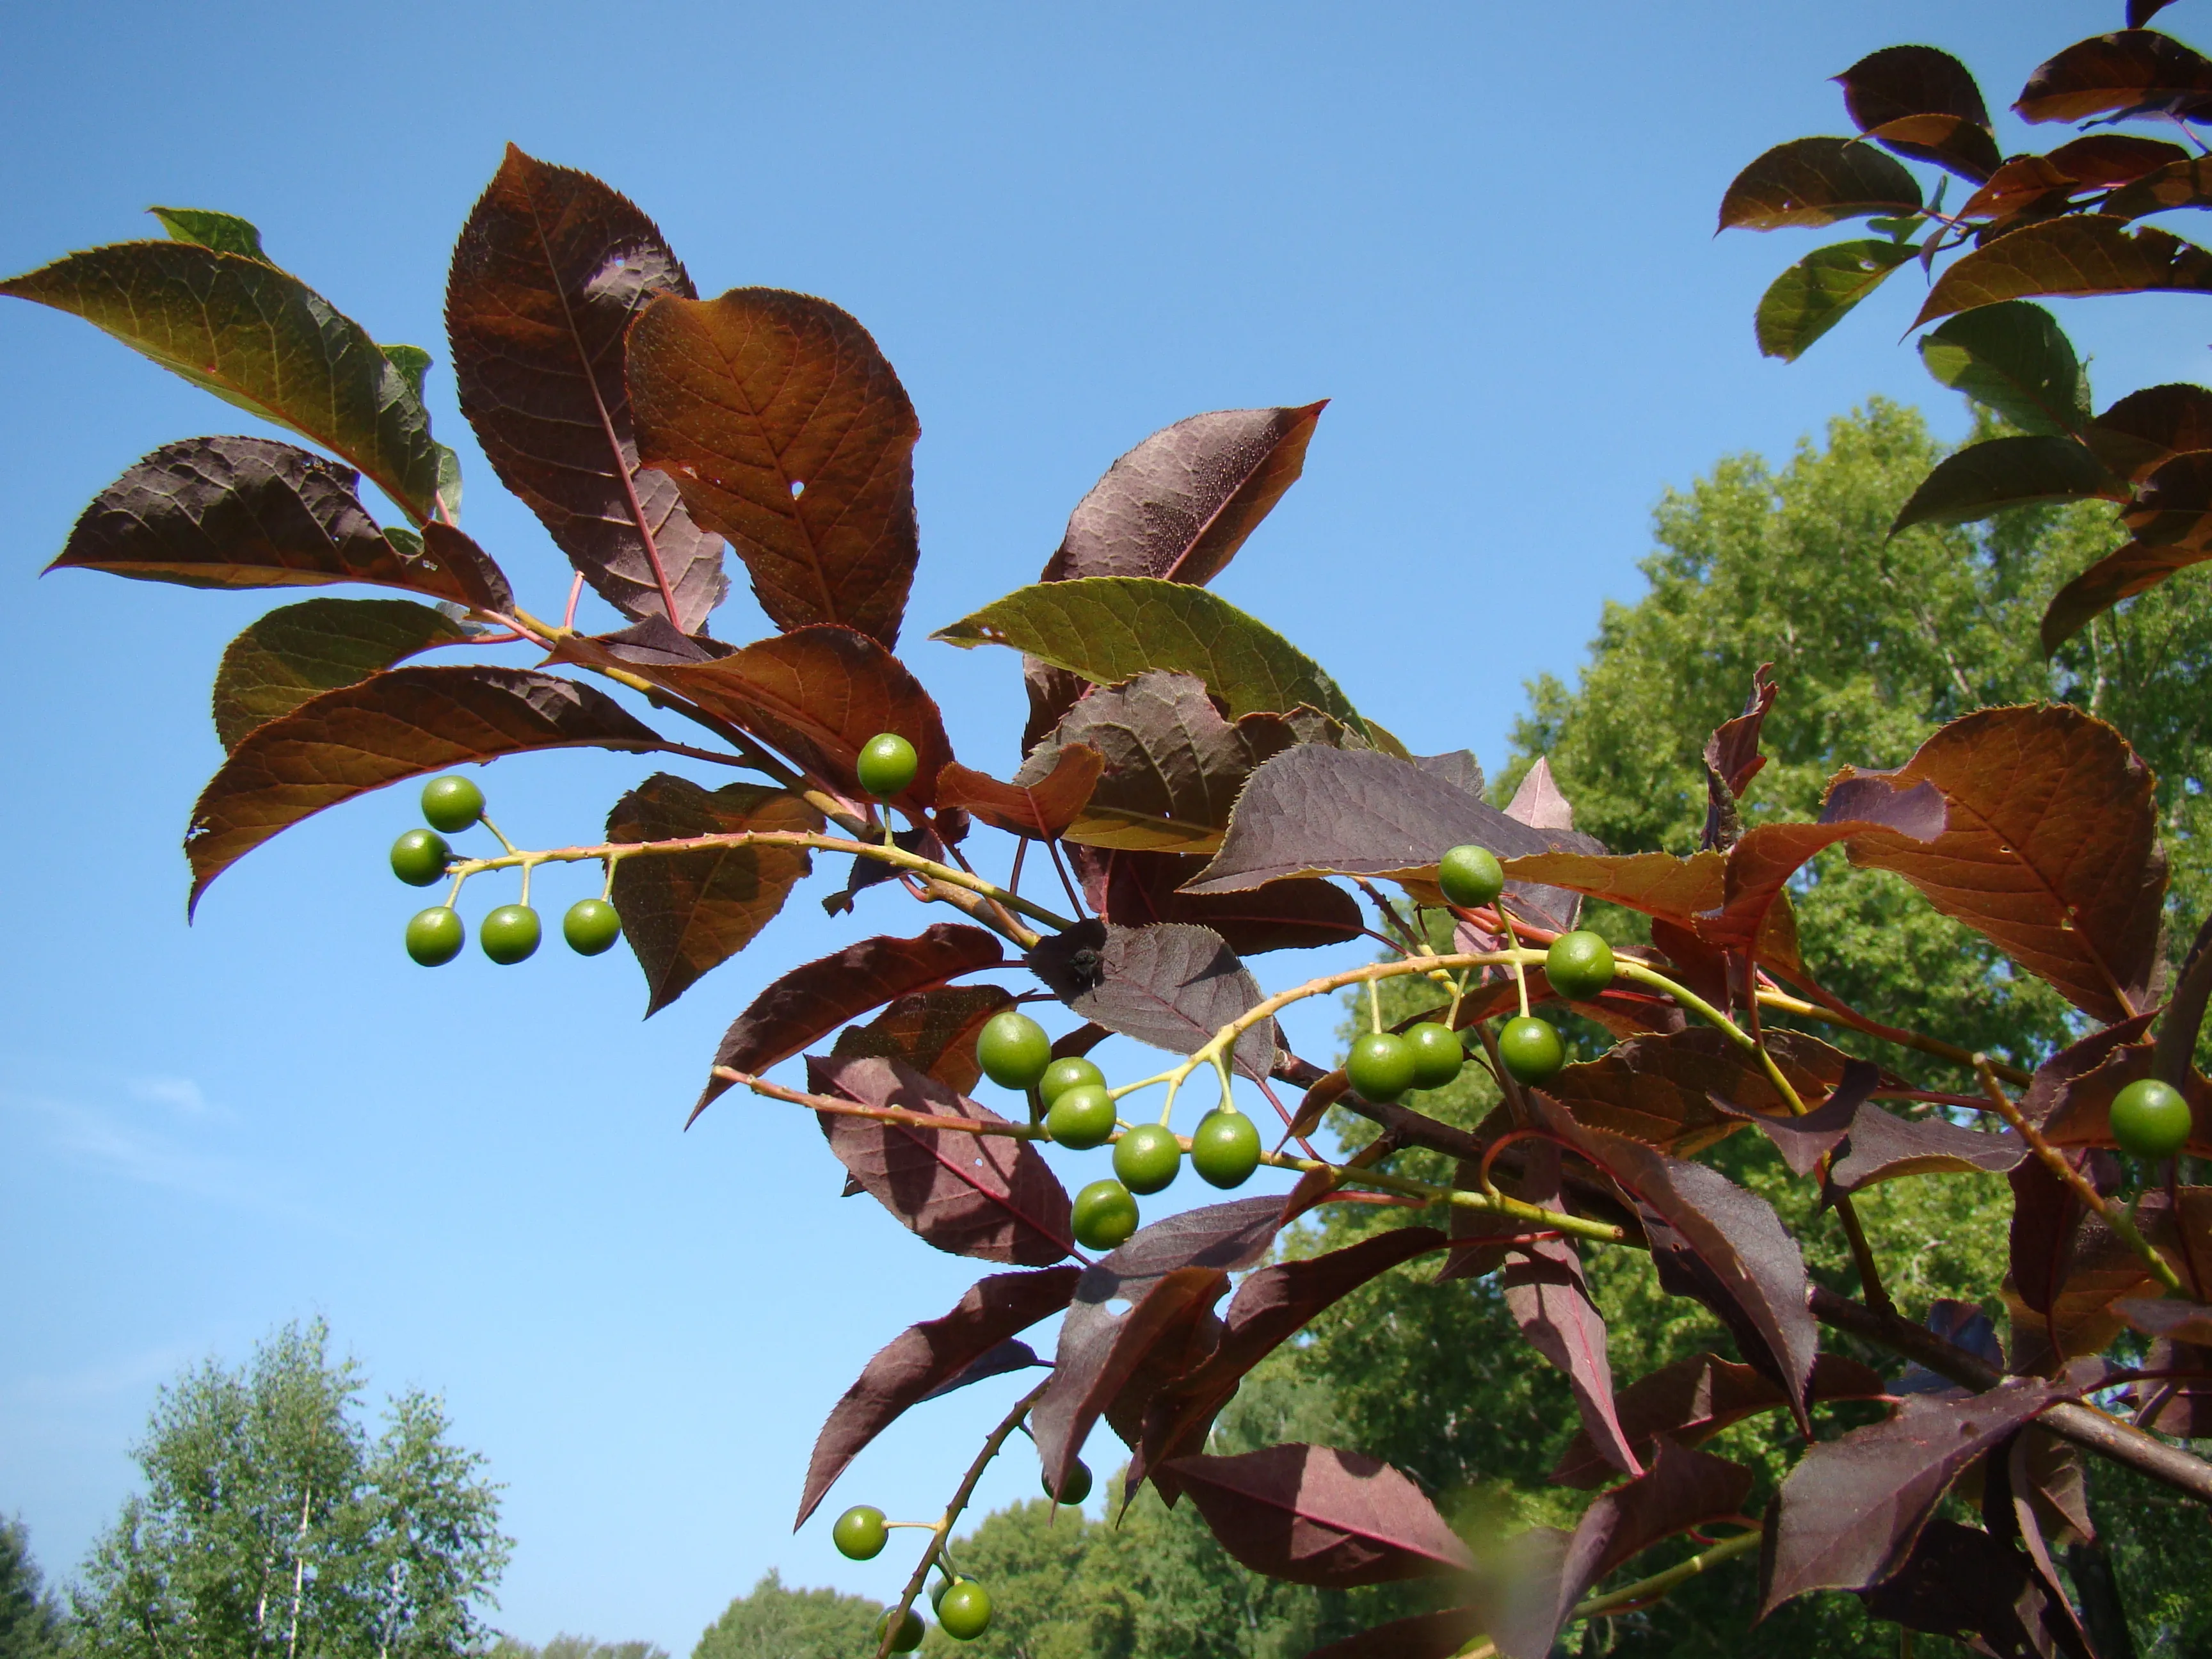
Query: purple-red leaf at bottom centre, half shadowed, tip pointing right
1317, 1516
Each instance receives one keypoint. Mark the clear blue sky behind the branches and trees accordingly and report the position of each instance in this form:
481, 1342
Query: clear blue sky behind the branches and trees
1485, 231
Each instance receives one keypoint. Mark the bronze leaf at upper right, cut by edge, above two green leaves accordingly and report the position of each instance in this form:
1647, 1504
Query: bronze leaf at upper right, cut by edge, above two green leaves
2069, 258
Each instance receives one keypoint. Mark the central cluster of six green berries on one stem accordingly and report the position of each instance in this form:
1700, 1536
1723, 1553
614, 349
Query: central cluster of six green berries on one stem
1081, 1114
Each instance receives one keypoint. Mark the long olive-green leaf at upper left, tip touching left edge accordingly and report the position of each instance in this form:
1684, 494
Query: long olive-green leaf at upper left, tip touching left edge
260, 340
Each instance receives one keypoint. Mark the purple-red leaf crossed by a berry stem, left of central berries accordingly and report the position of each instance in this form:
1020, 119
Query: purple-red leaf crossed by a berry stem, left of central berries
970, 1196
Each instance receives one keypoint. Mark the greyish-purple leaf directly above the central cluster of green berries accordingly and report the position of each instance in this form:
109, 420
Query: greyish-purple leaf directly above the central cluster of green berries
1171, 985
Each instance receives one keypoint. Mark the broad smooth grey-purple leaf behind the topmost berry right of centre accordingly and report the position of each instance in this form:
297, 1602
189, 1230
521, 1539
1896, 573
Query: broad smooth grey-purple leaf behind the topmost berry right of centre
1357, 813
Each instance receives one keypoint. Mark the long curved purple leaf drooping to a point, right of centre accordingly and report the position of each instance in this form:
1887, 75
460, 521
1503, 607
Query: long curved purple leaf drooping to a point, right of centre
1715, 1242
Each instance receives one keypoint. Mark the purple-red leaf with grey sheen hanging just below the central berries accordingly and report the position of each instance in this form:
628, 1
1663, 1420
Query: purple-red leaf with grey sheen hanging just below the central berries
1100, 1348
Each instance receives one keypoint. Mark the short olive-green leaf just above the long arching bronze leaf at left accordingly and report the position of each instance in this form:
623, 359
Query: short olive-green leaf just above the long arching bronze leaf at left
302, 651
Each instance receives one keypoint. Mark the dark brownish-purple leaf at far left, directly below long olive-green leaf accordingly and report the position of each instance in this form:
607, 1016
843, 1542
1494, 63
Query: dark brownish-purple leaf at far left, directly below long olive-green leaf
244, 514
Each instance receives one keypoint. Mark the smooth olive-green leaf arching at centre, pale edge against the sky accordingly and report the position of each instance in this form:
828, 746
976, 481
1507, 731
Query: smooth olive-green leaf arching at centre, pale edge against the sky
1112, 629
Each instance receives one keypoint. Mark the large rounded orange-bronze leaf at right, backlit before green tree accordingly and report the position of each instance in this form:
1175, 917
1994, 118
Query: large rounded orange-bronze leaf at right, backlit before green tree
2052, 848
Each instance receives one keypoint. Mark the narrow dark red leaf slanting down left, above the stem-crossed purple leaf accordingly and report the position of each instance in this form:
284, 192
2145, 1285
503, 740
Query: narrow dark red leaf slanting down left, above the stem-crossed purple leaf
817, 999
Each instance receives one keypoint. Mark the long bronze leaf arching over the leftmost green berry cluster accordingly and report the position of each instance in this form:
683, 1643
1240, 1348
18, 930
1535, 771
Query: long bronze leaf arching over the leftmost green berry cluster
379, 731
